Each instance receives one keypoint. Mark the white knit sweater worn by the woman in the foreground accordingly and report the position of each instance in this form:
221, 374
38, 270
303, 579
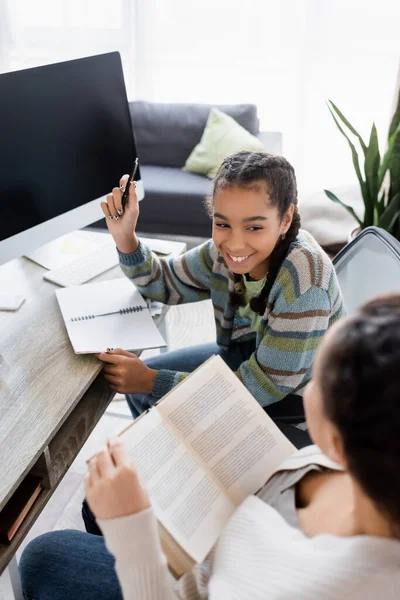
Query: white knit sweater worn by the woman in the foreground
258, 556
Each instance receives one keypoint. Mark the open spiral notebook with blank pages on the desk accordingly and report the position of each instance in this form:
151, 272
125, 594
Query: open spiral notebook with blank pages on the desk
110, 314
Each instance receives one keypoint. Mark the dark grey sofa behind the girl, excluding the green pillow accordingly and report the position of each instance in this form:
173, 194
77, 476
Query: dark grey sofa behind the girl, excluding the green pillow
165, 136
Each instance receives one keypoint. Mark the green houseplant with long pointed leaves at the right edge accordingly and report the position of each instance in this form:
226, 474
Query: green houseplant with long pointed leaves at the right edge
378, 176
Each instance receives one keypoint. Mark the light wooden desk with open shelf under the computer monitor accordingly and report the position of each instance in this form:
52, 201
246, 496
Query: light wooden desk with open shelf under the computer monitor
50, 398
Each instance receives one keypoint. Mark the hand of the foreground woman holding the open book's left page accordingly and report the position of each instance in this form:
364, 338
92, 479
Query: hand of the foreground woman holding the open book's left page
112, 485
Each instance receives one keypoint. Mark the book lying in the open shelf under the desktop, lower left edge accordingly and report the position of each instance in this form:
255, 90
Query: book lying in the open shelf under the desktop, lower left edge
17, 508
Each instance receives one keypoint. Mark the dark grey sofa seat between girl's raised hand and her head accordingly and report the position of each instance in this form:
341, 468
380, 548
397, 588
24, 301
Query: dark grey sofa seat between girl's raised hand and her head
174, 202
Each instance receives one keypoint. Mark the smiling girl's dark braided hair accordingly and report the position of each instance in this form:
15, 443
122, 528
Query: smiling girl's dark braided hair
248, 170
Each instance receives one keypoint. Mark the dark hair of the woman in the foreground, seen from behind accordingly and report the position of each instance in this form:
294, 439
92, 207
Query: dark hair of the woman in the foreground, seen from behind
360, 374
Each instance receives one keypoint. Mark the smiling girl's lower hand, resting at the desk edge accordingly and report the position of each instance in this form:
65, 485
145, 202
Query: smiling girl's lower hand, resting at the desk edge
126, 373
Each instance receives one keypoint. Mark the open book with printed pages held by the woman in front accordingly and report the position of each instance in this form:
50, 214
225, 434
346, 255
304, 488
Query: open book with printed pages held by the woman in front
200, 452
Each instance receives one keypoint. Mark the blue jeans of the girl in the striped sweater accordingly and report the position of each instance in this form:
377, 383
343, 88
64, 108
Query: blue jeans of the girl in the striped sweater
187, 360
